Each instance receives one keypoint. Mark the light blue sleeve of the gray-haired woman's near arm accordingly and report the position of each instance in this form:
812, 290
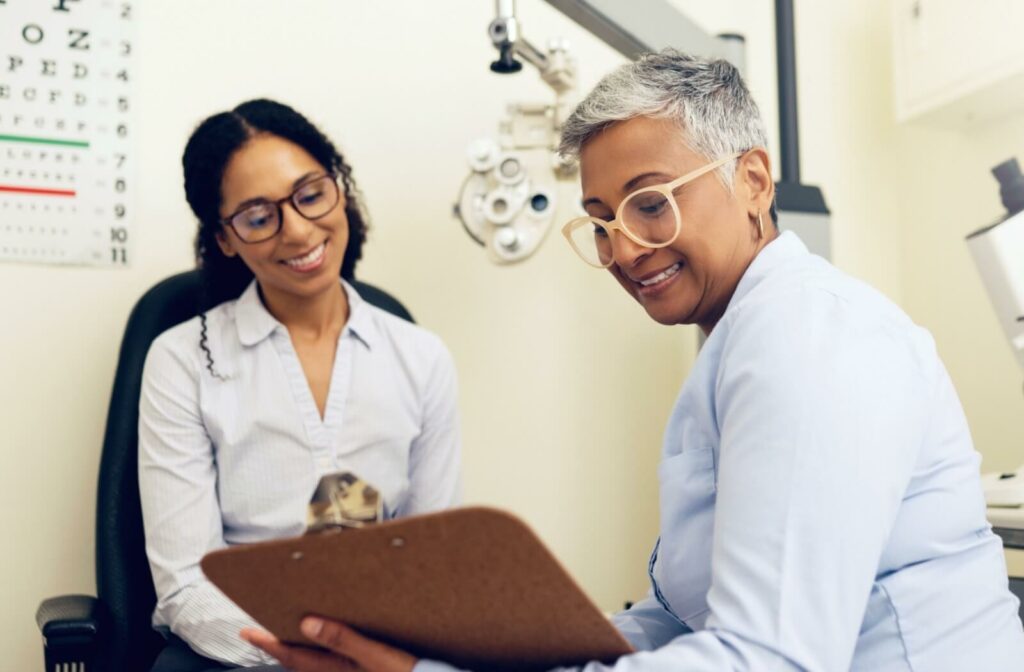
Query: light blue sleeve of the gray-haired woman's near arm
822, 416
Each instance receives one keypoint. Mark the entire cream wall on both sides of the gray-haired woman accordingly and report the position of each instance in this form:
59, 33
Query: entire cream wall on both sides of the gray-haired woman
566, 385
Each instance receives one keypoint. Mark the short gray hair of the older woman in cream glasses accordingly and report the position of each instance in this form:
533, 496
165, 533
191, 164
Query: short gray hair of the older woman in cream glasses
708, 99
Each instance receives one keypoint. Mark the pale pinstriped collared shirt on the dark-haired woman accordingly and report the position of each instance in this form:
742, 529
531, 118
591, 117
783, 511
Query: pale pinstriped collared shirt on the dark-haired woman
235, 459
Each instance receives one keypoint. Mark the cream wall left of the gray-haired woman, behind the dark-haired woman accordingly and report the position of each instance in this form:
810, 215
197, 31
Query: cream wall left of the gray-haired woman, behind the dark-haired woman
565, 384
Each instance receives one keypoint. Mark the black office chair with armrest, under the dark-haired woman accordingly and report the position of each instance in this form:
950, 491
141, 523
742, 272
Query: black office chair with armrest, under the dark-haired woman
113, 633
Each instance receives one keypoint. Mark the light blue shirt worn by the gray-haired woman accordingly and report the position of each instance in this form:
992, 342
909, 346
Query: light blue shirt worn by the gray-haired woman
821, 503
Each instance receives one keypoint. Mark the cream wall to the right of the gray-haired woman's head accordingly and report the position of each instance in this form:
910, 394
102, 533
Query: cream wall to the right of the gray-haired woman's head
904, 196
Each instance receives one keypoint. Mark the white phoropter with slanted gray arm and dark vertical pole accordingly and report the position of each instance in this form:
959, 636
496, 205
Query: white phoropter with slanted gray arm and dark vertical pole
509, 200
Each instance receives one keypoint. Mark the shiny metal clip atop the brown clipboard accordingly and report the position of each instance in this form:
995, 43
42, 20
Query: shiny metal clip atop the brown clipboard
342, 501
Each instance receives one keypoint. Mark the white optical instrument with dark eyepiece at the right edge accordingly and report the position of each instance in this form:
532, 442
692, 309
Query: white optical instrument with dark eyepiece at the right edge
999, 254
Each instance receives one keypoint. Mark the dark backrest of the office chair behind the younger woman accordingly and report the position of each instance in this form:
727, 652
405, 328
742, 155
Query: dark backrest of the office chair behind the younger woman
124, 584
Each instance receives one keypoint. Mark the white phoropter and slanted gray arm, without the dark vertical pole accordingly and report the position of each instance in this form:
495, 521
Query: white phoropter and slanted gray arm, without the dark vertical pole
508, 202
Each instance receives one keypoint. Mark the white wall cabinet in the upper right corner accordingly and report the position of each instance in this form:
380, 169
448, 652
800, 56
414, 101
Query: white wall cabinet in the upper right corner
958, 63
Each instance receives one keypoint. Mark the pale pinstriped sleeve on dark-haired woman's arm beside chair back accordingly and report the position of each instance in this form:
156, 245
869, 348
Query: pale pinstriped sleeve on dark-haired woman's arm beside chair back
178, 488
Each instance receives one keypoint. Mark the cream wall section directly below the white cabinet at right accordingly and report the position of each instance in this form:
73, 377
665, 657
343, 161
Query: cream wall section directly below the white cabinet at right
947, 192
